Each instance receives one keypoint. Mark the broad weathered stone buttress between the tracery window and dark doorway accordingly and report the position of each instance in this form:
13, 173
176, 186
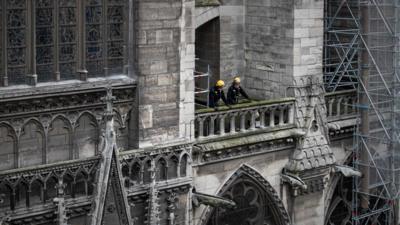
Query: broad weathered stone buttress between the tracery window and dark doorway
165, 54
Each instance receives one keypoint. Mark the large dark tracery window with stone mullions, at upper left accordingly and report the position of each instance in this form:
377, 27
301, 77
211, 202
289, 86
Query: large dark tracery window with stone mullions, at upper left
52, 40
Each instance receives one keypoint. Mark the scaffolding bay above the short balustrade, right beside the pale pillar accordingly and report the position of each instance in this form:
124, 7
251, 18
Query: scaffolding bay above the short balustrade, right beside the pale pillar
341, 44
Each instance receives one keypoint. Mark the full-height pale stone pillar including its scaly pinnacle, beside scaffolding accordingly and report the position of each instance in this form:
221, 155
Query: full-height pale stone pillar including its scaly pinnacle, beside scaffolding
308, 36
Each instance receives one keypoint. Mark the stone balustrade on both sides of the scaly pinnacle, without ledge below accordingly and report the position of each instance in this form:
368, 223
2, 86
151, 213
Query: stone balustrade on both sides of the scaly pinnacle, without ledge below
269, 115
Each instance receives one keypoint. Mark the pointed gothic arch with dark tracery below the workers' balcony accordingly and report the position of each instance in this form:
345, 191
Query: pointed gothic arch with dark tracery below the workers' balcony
243, 185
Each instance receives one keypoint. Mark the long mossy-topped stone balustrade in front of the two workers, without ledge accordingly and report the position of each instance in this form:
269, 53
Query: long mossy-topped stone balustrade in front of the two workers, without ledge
246, 117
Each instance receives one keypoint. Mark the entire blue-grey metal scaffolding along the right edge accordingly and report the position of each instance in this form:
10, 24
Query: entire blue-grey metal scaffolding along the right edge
362, 52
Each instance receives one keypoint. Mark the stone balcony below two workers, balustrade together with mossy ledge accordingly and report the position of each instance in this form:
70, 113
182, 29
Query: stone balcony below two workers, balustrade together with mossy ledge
246, 129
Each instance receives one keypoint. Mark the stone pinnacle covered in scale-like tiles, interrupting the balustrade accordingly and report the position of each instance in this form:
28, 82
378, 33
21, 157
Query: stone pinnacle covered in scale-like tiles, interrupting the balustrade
312, 150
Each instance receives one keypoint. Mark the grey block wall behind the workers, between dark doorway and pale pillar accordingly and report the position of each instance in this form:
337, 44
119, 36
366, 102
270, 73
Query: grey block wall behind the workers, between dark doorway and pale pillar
268, 47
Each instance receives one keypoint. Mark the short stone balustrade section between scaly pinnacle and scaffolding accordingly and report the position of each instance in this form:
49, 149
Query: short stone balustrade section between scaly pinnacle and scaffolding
341, 104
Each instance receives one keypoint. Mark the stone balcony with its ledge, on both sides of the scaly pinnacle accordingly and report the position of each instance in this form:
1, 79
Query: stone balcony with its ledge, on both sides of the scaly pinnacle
255, 127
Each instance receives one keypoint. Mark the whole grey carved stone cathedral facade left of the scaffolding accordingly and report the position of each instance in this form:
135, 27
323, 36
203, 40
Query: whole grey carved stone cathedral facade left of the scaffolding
132, 149
